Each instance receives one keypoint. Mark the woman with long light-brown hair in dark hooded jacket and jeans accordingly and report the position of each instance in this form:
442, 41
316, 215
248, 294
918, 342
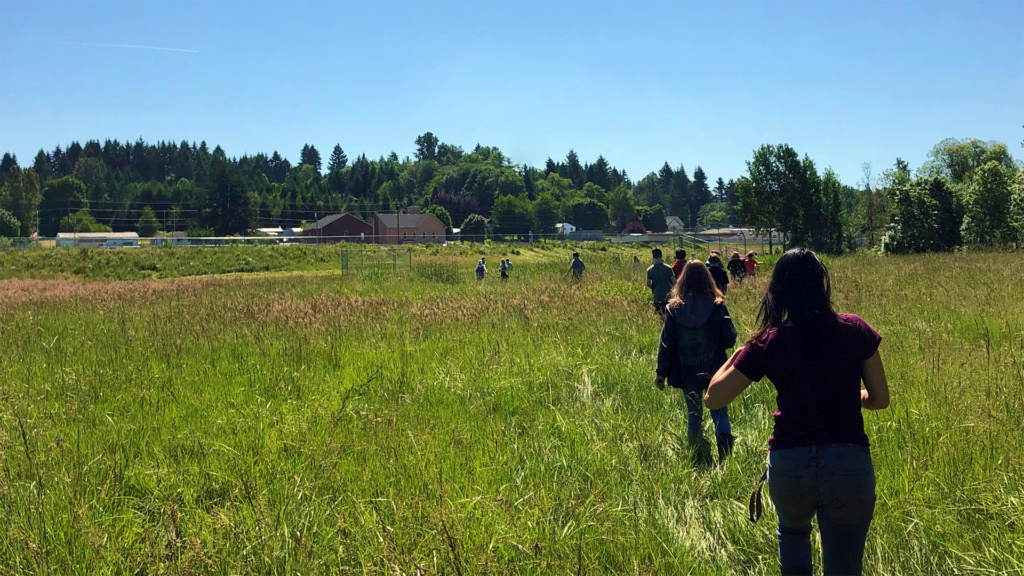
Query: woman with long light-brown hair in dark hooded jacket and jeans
697, 334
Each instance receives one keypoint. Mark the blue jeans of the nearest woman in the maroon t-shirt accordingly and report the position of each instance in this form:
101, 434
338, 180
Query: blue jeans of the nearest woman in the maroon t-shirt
837, 483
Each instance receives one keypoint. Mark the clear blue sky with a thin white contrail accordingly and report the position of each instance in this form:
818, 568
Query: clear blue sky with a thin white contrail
641, 83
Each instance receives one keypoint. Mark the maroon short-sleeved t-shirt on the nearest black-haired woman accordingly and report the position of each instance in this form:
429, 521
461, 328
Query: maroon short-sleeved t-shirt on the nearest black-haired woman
818, 391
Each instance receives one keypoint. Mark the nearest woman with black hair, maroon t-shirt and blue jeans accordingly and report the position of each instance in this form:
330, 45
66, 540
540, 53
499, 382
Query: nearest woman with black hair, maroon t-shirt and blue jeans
819, 463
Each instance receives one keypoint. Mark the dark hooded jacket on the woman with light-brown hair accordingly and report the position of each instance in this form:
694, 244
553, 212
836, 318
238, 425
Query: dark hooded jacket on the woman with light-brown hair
695, 341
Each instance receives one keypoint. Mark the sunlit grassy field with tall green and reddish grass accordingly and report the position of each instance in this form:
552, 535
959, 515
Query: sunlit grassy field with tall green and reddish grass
419, 423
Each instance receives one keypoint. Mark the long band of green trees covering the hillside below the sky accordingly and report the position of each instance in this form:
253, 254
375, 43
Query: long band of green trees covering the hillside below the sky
969, 192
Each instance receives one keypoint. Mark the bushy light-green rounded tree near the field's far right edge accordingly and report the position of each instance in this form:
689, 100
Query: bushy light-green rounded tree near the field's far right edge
987, 205
